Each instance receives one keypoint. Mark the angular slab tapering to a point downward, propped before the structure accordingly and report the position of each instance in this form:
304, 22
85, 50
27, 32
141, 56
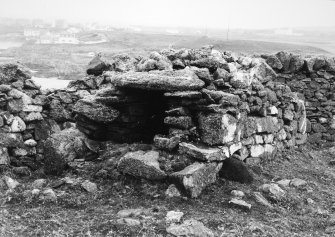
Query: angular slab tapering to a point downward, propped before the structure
194, 178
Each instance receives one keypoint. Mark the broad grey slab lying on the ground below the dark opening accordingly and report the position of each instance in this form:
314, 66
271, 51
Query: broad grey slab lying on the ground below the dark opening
141, 164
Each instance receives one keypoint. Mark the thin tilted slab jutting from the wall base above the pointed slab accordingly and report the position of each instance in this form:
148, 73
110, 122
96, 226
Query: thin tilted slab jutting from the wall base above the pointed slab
201, 153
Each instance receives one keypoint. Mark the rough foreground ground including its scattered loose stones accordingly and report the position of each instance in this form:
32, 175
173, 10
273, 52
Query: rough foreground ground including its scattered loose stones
292, 195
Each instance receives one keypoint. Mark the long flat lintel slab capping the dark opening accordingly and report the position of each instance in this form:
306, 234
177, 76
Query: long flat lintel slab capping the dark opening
179, 80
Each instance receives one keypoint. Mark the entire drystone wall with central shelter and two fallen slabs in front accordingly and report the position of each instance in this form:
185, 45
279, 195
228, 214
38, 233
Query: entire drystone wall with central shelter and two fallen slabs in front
196, 107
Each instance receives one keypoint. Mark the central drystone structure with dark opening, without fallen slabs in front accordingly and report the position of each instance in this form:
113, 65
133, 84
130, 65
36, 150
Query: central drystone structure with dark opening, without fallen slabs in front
216, 105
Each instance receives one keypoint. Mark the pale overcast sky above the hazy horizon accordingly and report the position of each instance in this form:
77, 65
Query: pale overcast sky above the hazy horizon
198, 13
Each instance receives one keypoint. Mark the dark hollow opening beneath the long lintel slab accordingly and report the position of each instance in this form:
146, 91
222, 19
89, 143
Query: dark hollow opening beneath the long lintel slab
141, 118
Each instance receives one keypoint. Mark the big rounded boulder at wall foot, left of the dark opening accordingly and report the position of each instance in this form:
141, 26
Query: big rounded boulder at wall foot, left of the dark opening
63, 147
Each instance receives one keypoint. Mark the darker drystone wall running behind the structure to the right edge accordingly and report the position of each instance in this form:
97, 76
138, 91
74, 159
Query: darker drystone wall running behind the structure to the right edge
314, 79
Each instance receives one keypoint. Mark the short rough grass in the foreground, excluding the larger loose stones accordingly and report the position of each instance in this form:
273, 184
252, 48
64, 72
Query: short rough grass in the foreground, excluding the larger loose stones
78, 213
